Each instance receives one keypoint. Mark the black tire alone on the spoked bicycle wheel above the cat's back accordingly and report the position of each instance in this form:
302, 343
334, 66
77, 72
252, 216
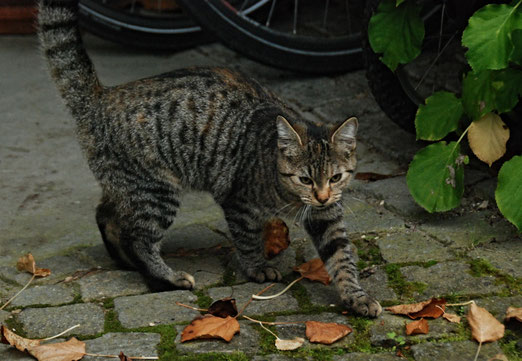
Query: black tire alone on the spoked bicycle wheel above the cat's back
292, 52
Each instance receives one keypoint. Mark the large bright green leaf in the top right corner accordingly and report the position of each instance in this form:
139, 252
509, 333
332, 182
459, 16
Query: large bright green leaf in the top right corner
488, 36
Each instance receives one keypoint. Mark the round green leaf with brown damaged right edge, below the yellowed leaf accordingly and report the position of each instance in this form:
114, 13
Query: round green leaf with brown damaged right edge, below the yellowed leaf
436, 177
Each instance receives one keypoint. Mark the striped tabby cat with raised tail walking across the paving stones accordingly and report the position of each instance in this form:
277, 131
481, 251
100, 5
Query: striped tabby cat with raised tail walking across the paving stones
207, 129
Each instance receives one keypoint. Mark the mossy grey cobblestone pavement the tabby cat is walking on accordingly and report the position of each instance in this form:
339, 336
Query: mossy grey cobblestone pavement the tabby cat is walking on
48, 198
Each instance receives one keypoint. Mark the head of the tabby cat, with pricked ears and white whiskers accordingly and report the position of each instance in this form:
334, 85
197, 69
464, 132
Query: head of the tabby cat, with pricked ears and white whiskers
316, 162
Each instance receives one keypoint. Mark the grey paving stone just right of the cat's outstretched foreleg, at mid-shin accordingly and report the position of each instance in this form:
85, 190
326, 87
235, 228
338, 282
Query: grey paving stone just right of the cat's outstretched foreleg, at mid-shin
411, 246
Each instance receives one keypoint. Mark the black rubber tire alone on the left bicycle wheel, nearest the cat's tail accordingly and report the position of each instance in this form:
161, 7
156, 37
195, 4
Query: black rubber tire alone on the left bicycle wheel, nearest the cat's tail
176, 33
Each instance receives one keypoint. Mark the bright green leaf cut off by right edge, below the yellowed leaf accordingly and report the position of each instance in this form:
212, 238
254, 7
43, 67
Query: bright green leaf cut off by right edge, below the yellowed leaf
509, 191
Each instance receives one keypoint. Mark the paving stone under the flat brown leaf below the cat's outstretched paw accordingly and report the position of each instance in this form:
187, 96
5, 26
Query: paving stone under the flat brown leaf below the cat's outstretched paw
291, 331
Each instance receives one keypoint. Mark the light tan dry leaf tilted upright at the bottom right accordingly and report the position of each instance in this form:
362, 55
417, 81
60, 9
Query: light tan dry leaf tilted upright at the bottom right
484, 327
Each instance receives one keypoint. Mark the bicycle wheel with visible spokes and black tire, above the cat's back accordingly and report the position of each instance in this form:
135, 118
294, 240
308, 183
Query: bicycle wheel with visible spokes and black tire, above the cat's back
317, 37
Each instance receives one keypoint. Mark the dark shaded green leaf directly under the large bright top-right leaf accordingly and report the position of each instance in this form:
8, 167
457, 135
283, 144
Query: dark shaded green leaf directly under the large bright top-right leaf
489, 90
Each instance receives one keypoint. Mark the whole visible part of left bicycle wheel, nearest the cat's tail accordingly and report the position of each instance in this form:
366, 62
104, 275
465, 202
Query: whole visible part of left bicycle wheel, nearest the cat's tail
148, 24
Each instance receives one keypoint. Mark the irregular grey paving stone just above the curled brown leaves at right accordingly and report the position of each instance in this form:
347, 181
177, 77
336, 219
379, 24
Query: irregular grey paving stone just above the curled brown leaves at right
448, 278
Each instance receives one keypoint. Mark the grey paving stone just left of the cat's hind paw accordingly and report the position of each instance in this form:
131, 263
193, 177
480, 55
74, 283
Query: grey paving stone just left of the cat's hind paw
107, 284
